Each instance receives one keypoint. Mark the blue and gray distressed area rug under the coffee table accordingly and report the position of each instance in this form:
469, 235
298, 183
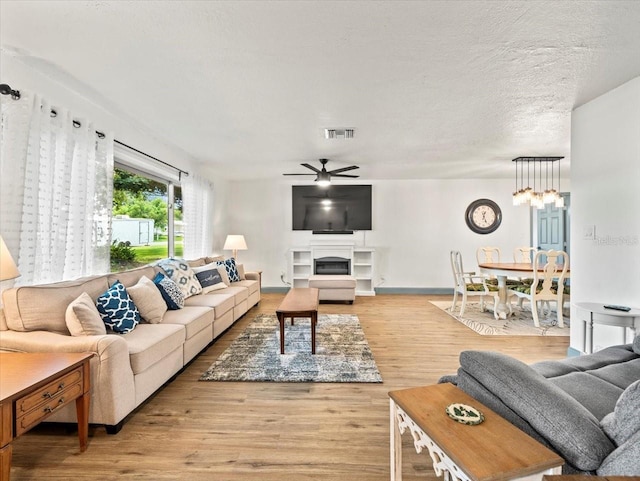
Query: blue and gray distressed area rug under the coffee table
342, 353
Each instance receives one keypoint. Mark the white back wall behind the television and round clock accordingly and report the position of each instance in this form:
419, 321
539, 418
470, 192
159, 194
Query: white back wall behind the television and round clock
415, 225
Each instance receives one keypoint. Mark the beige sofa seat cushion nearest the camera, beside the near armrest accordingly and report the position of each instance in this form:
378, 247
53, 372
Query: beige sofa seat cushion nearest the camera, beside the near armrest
150, 343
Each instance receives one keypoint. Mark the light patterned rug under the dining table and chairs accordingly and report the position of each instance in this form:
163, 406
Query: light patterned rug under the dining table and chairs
520, 324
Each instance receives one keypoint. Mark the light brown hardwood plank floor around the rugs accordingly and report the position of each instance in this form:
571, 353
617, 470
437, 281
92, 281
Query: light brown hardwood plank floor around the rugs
194, 430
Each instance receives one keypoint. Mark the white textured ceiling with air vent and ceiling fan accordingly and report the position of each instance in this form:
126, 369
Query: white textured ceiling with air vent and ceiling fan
434, 89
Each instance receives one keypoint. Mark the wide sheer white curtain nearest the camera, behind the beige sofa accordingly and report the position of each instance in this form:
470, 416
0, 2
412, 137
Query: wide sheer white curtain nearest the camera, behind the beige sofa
56, 191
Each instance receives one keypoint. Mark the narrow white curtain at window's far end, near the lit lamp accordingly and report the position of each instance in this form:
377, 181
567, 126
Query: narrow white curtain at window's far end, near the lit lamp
197, 209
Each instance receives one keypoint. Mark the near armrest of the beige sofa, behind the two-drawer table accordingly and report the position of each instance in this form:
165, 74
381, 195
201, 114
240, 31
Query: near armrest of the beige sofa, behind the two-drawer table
112, 386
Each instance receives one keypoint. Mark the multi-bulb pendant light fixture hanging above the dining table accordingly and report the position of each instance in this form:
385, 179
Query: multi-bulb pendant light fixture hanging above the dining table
544, 190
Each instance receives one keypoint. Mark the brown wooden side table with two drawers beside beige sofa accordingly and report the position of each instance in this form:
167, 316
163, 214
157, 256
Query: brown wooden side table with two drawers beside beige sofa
35, 385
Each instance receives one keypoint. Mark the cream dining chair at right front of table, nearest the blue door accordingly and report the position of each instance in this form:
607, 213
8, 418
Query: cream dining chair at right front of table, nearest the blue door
549, 271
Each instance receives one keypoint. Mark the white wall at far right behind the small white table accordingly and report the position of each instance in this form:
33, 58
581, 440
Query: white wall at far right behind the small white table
605, 179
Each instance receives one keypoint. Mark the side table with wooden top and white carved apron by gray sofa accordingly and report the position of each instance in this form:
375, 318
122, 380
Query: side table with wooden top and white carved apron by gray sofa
492, 451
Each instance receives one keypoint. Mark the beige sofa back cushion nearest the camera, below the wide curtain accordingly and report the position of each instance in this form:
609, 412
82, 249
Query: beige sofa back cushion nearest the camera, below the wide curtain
43, 307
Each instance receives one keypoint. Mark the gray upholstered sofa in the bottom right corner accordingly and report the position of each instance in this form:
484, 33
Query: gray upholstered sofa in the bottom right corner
585, 408
